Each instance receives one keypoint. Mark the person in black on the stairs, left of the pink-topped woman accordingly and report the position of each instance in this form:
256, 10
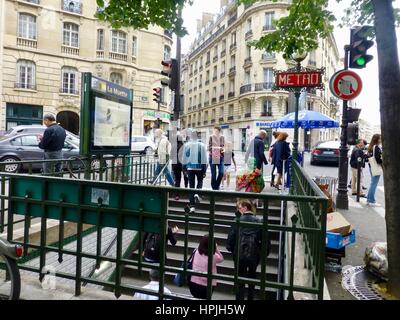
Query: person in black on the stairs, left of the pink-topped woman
152, 244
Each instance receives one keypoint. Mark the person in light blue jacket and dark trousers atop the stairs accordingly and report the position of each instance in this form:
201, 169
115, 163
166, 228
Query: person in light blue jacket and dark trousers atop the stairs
194, 161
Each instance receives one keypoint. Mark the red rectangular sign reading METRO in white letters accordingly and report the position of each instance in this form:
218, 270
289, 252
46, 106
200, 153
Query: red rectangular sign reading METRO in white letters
307, 79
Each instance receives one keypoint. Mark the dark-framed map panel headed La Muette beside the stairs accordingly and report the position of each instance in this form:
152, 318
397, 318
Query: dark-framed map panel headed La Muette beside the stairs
106, 117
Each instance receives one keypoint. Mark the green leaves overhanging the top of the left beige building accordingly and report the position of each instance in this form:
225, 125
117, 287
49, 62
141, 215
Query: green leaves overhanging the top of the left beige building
140, 14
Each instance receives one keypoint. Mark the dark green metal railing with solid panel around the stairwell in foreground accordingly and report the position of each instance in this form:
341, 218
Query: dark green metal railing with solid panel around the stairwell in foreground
144, 208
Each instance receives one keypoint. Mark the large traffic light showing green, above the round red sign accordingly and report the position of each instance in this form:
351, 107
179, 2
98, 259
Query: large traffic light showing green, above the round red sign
359, 45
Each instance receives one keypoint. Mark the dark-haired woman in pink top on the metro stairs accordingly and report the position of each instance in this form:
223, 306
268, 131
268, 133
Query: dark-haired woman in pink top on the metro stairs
198, 284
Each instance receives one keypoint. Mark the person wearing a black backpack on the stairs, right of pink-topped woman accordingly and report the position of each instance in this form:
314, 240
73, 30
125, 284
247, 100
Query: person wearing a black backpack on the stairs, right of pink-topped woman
250, 240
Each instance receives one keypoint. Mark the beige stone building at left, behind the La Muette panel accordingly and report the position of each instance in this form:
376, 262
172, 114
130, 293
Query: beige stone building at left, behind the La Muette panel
45, 45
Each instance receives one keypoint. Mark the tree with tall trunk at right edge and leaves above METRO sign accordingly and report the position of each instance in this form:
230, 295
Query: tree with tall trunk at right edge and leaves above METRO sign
299, 32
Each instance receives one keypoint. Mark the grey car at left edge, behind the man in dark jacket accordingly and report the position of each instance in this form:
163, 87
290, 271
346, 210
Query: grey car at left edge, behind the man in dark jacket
24, 147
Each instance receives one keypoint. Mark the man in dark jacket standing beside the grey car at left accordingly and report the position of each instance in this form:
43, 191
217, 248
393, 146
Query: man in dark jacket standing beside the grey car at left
52, 143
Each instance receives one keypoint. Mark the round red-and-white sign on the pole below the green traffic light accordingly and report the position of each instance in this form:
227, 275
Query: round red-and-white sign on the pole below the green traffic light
346, 85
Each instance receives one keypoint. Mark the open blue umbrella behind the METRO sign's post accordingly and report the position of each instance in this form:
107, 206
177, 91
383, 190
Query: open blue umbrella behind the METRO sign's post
307, 120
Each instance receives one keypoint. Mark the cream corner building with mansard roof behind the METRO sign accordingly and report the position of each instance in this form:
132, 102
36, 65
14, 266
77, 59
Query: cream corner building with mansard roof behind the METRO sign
228, 83
